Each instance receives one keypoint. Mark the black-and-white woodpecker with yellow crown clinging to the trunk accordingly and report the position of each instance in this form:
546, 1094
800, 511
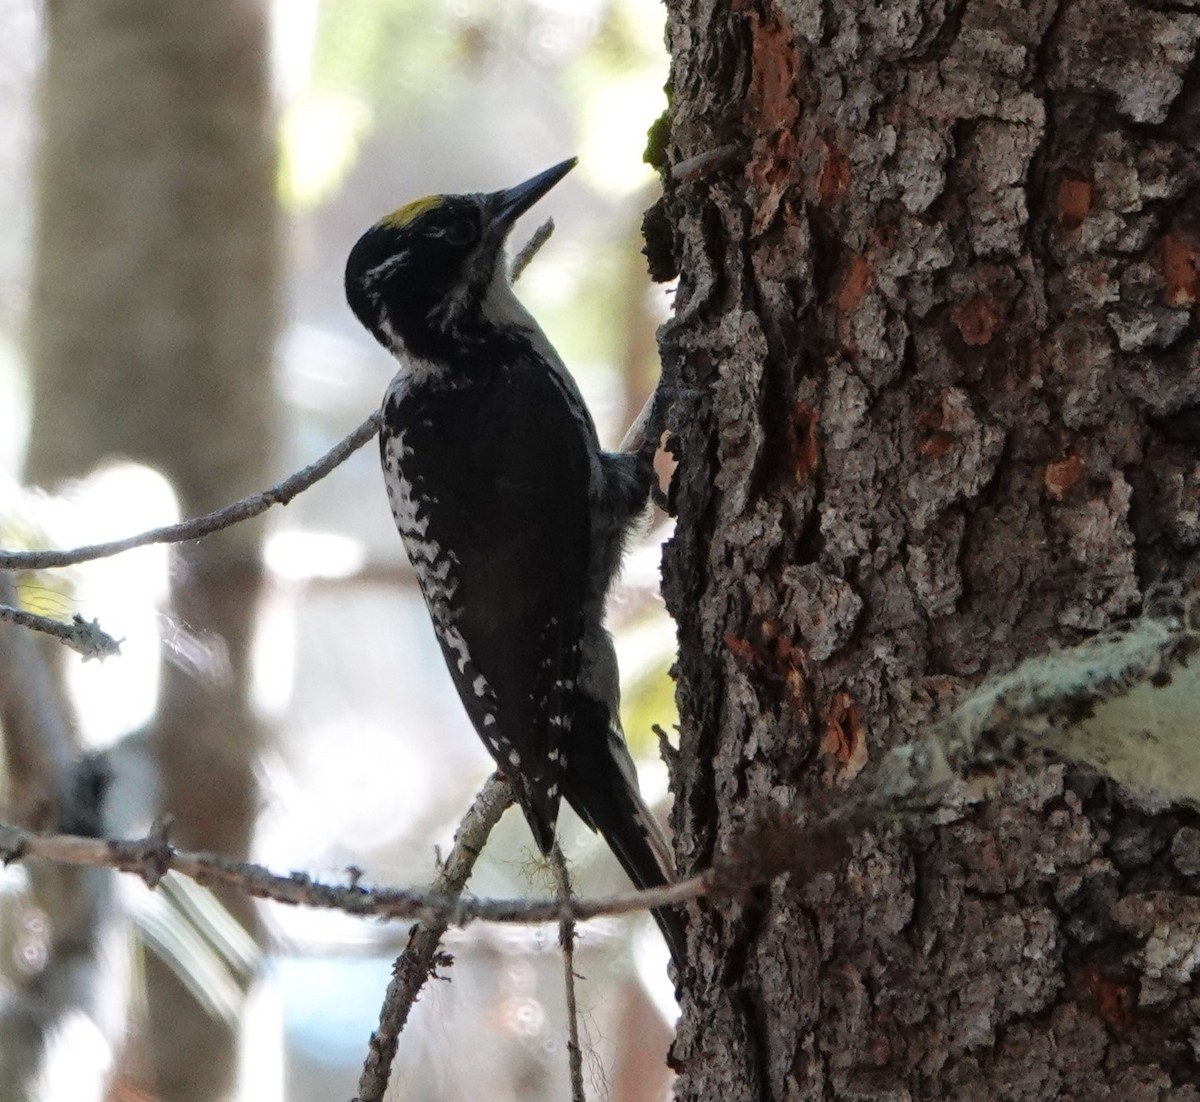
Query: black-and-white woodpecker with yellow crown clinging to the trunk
513, 517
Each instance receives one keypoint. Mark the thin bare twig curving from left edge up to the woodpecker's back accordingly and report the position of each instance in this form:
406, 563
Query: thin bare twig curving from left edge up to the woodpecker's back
199, 526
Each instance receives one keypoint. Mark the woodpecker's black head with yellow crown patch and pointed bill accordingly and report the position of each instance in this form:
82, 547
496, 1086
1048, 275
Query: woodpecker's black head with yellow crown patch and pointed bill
427, 278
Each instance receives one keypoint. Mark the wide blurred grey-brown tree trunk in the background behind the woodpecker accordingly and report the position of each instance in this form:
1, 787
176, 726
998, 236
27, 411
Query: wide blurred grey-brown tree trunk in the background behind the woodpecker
153, 319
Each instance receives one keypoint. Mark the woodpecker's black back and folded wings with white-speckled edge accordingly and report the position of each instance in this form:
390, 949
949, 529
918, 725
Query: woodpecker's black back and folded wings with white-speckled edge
500, 474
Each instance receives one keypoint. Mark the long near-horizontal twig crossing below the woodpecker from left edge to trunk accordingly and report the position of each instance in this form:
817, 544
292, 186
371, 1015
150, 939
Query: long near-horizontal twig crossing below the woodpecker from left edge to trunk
152, 858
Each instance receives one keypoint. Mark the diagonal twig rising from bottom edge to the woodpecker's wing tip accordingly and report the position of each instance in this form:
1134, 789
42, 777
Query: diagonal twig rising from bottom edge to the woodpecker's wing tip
421, 959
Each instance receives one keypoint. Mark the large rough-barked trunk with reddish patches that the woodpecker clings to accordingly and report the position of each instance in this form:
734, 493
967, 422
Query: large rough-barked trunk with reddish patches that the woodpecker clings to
937, 404
